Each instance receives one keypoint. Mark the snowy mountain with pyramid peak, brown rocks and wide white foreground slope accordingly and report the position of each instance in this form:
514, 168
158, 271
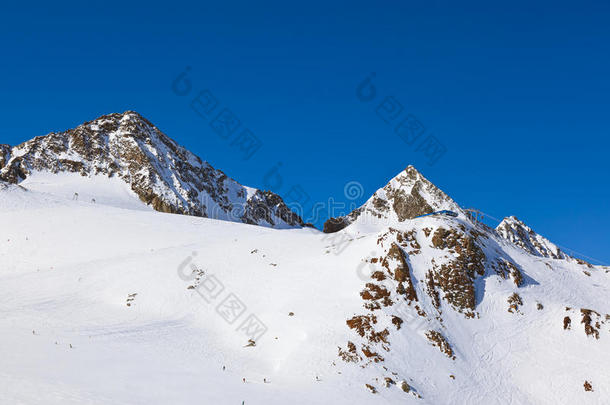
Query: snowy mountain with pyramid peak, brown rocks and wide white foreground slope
101, 304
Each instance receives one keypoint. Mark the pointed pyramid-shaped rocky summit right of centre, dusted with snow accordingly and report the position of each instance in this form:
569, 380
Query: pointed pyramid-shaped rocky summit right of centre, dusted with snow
406, 196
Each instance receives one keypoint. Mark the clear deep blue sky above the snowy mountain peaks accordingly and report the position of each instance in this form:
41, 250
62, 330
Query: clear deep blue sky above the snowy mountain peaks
517, 93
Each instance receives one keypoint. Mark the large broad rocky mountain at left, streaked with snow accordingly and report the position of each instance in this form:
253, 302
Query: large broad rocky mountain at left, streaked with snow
163, 174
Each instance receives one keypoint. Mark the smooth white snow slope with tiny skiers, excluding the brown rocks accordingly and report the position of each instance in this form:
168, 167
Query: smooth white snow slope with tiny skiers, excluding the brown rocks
67, 335
